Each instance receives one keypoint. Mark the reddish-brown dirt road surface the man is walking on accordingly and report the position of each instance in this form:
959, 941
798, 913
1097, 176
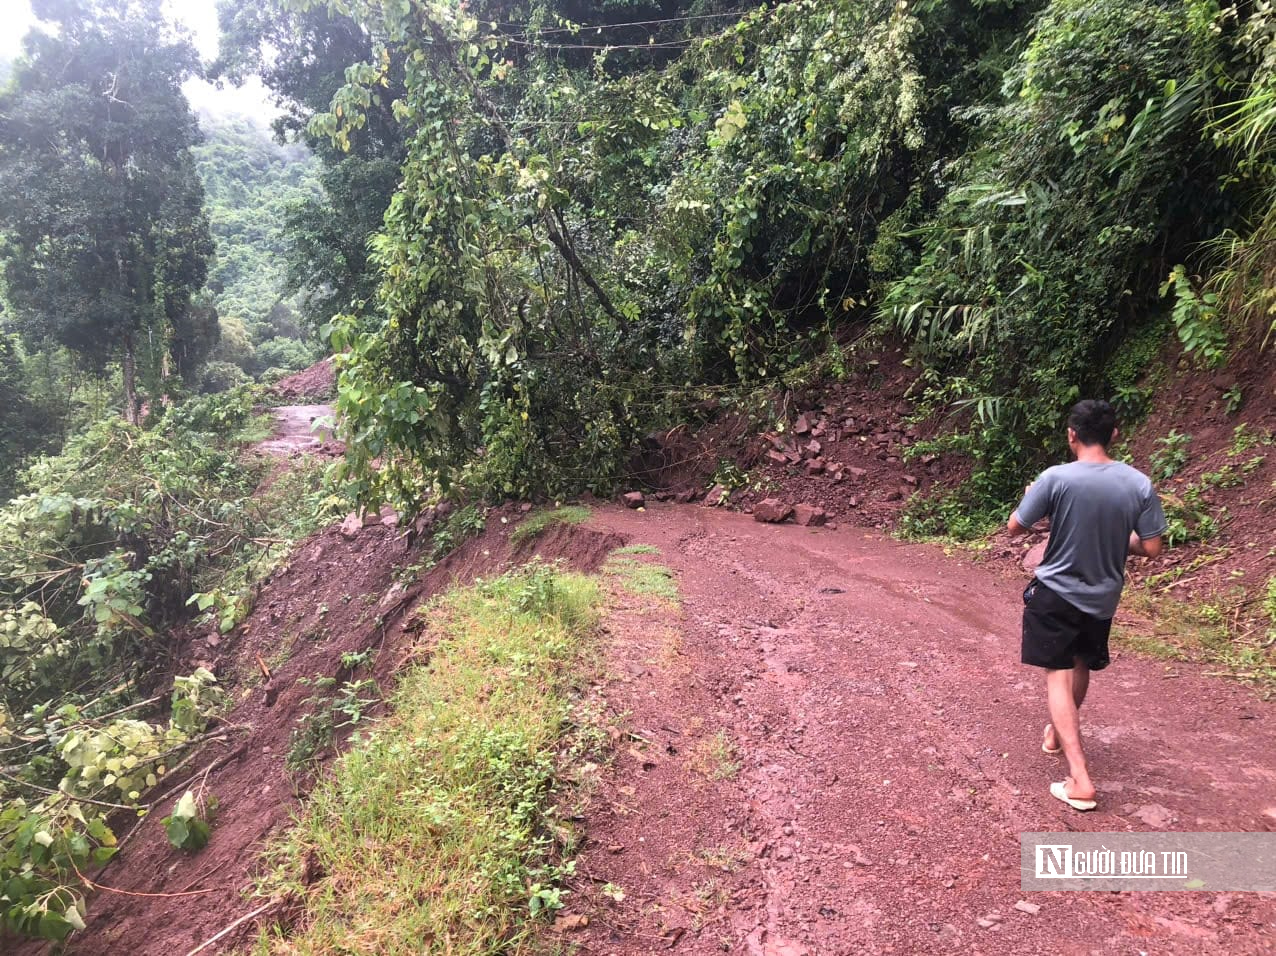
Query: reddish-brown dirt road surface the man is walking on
833, 750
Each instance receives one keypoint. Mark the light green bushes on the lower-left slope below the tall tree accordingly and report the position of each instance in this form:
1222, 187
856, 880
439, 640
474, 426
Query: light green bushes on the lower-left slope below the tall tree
98, 561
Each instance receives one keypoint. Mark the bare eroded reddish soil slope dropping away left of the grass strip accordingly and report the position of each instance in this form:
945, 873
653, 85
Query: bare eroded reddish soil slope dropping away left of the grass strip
344, 594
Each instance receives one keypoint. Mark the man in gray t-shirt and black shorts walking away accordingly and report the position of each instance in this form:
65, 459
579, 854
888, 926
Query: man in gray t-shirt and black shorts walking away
1101, 511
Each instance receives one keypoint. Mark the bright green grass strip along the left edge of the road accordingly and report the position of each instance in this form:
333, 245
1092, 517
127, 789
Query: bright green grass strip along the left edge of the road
432, 833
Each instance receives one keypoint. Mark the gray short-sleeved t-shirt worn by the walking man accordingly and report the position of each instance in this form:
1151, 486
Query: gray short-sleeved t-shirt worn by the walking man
1093, 509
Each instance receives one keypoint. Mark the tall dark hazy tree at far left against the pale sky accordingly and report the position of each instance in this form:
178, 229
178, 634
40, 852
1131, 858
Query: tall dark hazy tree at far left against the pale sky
103, 232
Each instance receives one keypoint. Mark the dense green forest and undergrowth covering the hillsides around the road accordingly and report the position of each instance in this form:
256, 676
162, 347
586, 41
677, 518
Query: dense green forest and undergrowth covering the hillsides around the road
534, 235
